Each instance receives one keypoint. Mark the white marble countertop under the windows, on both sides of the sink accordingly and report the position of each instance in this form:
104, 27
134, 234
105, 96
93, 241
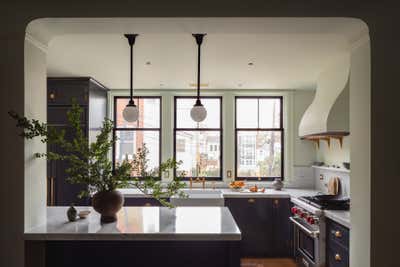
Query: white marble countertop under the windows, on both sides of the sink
228, 193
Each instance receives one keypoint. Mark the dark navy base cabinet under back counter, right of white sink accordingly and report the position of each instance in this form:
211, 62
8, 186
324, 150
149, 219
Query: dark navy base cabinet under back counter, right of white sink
264, 223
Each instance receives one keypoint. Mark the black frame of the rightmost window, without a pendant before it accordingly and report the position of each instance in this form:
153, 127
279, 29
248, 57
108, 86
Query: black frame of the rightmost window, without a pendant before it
280, 129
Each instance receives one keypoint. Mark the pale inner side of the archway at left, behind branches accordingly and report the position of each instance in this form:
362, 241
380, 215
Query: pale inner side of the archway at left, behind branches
35, 107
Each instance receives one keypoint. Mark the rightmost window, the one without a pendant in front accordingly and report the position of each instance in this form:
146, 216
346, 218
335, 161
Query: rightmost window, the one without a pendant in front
259, 138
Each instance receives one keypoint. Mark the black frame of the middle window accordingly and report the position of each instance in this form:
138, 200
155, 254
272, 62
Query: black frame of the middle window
220, 130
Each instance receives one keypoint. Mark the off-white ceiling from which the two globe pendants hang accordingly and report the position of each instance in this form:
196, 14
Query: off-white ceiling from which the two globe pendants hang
236, 53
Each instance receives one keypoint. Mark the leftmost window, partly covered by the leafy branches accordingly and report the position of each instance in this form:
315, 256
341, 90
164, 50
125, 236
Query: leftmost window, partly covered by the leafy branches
132, 135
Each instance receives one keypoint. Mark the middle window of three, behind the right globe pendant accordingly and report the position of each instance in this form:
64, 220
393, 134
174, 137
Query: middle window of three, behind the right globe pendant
199, 145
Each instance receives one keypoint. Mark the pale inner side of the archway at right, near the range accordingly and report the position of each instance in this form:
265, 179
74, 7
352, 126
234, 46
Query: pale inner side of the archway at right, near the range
360, 154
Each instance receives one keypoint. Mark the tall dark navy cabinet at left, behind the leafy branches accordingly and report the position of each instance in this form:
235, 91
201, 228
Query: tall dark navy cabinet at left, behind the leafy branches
92, 97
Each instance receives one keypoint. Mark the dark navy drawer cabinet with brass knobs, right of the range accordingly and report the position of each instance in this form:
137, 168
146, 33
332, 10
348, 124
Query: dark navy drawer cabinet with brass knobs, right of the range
337, 244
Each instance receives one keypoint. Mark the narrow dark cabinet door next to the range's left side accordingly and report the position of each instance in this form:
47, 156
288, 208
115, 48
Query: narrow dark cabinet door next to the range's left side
282, 230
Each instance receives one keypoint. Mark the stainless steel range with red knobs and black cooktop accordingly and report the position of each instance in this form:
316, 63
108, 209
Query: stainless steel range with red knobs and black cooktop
309, 227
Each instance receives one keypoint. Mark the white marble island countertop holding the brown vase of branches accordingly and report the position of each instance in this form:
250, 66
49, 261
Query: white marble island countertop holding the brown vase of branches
141, 223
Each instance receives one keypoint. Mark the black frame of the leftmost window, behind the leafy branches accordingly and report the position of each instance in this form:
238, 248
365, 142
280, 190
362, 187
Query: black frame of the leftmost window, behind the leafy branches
115, 129
